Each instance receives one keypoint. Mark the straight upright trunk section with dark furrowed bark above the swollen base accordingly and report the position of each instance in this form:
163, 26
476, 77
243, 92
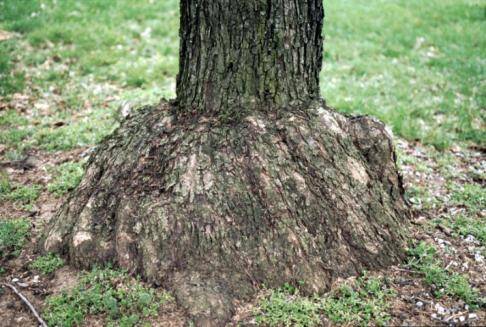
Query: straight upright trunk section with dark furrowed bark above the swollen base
252, 54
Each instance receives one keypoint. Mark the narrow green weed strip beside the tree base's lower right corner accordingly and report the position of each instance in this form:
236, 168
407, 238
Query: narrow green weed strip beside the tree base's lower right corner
424, 259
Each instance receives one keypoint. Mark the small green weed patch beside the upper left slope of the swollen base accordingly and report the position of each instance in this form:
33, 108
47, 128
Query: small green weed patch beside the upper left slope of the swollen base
67, 177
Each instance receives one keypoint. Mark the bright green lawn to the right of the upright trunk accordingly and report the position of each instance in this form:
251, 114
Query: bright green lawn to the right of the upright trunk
417, 65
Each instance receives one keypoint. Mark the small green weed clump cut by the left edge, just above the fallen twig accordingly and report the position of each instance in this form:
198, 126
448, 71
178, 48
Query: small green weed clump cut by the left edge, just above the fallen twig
13, 235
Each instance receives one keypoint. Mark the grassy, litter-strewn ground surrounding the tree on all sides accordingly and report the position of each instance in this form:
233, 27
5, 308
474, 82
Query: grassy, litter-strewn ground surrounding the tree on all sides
70, 71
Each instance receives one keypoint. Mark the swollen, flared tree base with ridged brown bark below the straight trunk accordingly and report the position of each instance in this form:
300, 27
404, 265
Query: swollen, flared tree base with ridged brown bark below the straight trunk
213, 211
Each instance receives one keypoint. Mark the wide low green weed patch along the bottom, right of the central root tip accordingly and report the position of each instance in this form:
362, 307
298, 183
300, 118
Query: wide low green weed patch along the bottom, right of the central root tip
361, 302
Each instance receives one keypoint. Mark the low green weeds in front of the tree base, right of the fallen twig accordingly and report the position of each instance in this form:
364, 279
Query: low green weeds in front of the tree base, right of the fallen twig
106, 293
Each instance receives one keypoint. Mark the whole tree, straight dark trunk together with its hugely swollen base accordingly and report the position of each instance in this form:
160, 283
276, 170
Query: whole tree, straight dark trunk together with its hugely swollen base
247, 179
